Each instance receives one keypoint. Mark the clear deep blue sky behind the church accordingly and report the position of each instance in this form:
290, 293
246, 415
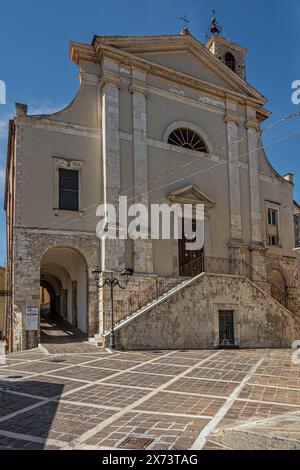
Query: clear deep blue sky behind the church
34, 62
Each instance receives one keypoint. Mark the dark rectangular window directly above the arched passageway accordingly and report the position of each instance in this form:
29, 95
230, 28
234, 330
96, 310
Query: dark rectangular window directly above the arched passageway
68, 190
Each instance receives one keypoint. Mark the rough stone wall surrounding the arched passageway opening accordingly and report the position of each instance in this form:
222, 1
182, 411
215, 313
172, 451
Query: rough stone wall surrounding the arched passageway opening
31, 247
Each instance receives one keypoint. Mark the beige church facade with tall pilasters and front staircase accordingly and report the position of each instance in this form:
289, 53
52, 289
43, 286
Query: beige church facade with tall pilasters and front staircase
161, 120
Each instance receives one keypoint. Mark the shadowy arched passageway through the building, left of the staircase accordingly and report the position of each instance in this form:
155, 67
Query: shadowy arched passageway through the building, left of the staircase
63, 288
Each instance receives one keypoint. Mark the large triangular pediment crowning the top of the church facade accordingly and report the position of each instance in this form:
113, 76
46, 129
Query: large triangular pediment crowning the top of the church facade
183, 54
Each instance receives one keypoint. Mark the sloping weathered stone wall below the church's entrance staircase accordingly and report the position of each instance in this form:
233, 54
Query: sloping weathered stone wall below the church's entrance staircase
189, 319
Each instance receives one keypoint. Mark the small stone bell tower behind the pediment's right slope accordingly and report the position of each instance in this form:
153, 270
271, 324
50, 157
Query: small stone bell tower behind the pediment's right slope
228, 52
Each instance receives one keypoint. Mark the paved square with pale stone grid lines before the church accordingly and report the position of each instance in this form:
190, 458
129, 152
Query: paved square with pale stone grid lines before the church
86, 398
